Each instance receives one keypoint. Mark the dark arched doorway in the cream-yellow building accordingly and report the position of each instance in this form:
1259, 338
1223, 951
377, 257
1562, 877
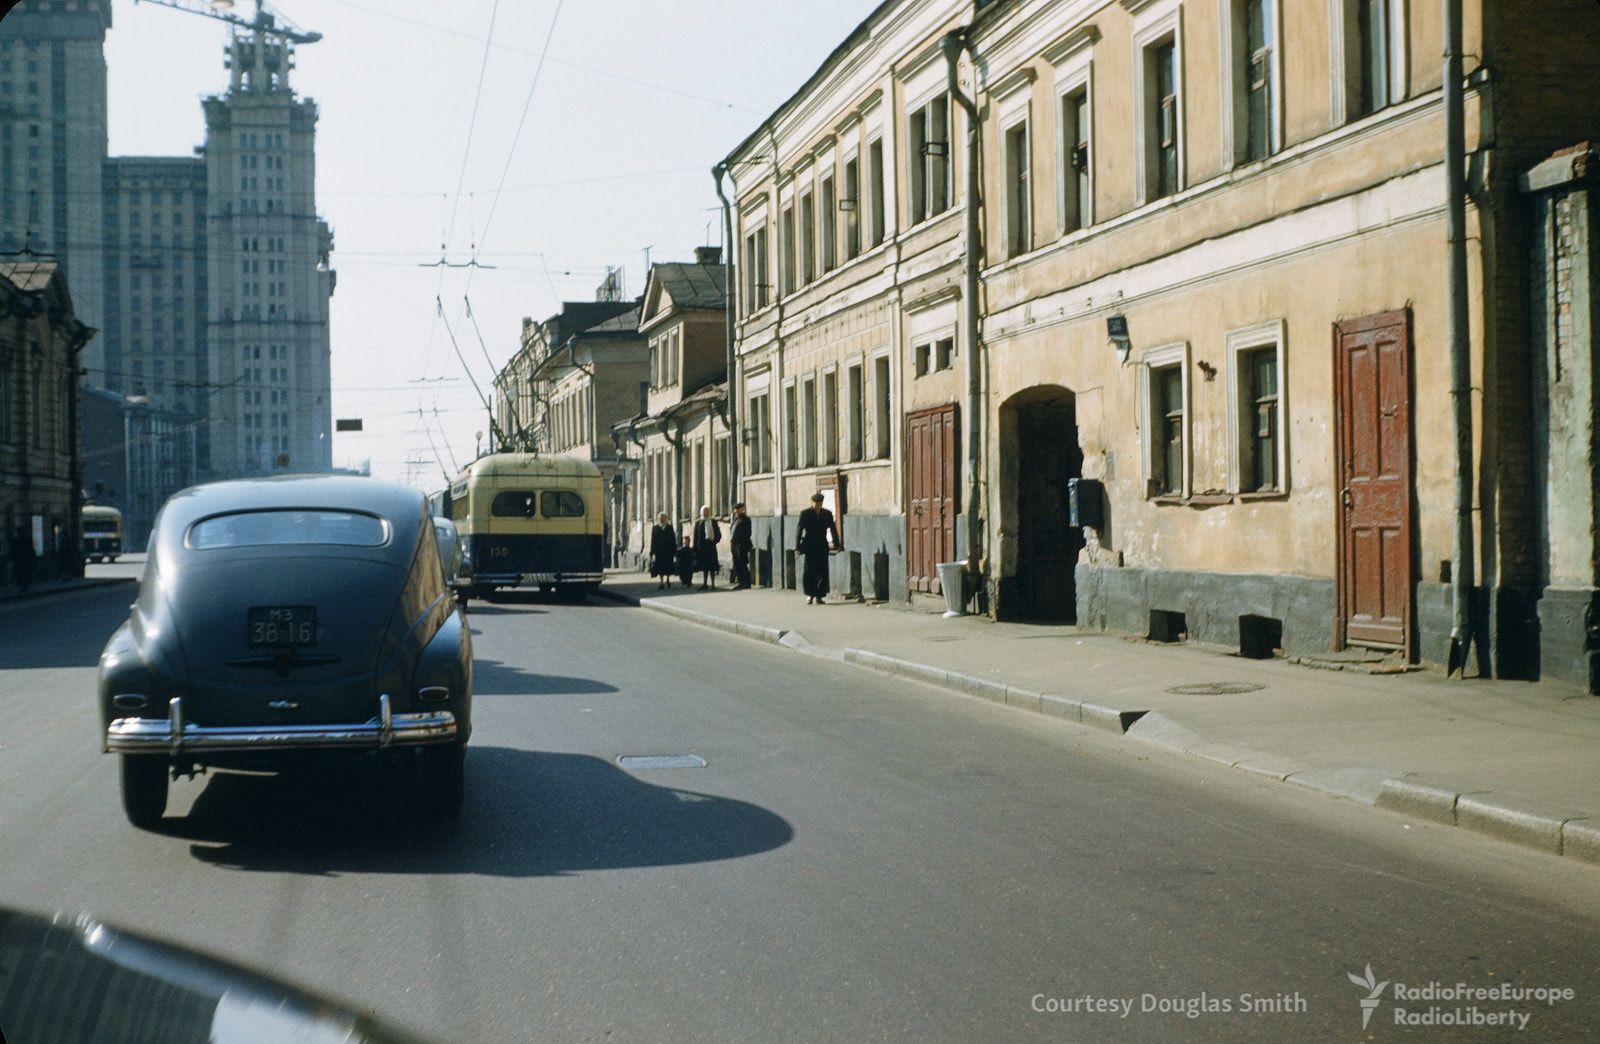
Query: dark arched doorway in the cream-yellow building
1039, 430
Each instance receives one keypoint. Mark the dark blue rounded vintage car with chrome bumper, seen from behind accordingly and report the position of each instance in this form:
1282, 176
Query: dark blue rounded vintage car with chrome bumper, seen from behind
282, 619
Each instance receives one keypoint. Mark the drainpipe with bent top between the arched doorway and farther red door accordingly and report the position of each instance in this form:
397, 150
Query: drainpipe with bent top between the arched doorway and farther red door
953, 46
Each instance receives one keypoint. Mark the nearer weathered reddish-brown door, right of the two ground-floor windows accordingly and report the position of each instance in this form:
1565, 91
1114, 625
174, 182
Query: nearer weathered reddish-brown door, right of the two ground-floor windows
1374, 404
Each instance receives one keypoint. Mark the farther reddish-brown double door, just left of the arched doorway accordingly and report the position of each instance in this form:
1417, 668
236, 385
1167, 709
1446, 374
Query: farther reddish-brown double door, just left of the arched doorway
930, 496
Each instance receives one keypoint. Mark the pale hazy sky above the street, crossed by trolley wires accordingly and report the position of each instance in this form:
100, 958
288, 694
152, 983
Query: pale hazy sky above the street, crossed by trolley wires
636, 102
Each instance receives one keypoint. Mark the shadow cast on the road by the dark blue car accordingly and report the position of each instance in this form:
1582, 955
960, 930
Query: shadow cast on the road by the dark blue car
527, 814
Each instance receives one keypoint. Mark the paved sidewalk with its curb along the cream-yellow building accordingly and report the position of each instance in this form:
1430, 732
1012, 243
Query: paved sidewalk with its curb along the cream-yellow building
1519, 761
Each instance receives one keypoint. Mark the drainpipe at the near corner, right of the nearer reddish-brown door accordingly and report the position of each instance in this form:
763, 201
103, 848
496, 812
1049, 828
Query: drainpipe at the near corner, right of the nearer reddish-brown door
1462, 550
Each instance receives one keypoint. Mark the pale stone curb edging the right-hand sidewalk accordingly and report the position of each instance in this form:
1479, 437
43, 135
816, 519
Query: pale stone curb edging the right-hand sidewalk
1556, 832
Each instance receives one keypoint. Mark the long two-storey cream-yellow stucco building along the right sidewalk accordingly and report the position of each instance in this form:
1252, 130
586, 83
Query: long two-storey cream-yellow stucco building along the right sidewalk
1212, 315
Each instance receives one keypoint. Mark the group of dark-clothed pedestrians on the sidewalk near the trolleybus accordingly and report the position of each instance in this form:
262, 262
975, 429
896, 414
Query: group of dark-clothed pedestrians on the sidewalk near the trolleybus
817, 537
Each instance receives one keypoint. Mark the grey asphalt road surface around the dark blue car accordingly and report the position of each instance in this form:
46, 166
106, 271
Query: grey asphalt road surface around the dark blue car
860, 859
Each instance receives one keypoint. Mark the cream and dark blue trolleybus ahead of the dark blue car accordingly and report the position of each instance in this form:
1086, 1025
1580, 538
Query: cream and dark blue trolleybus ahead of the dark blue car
532, 521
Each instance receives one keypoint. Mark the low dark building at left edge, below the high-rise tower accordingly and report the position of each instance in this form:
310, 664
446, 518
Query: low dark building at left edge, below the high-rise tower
41, 457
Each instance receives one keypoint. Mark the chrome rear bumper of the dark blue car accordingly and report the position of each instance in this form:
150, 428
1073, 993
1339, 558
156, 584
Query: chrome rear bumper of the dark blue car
175, 737
